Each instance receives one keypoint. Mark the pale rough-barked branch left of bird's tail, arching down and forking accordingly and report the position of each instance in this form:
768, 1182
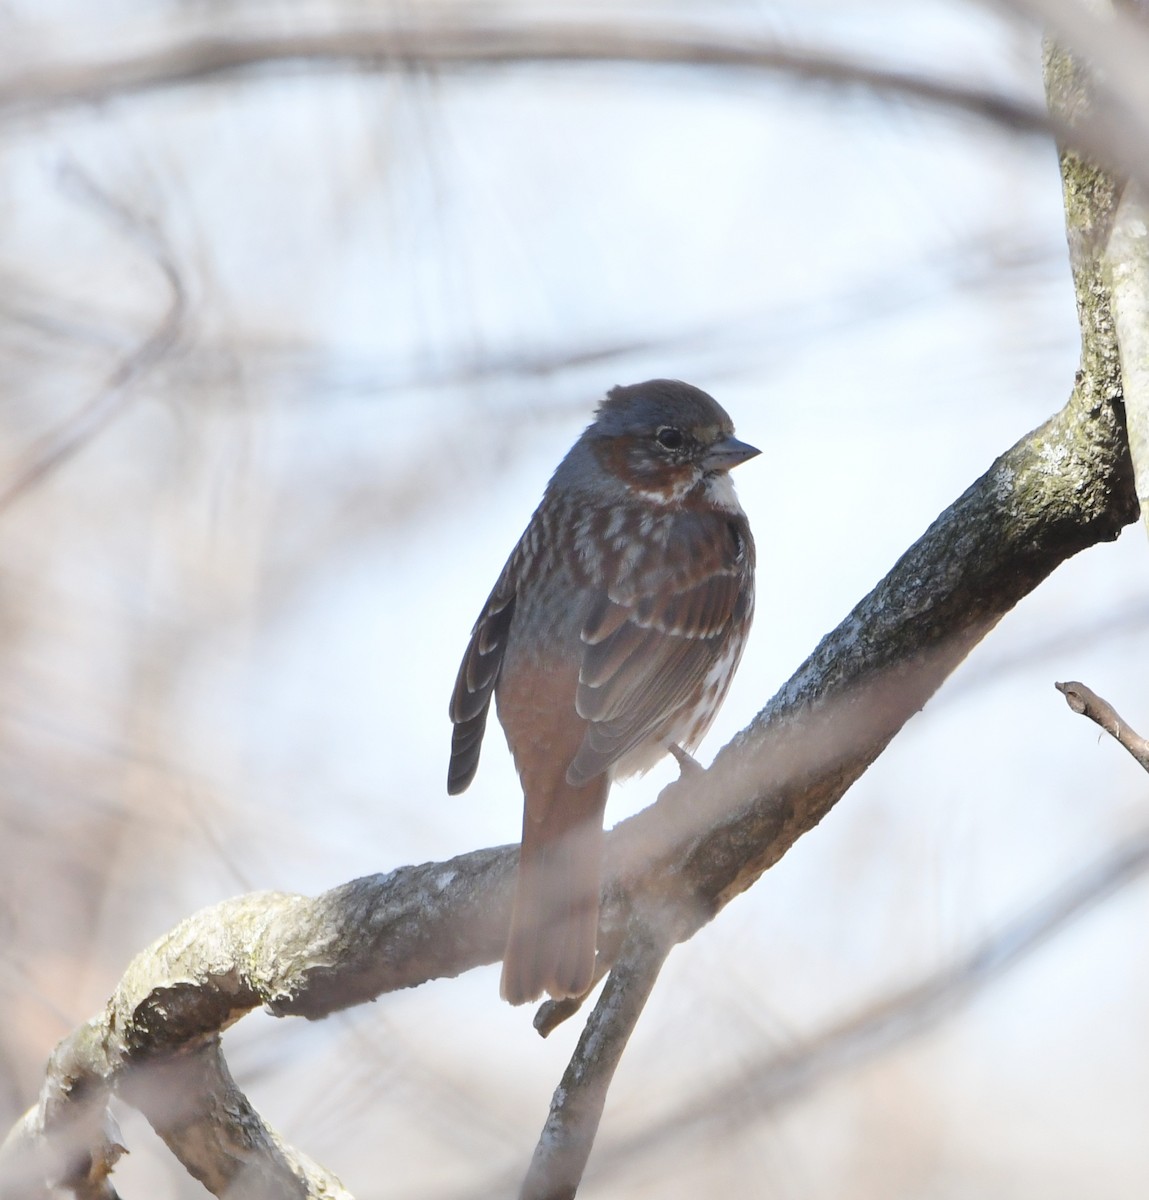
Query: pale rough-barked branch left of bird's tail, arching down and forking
159, 1036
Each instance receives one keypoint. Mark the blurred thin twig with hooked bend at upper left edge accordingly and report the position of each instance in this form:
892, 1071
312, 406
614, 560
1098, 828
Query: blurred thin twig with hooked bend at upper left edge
61, 445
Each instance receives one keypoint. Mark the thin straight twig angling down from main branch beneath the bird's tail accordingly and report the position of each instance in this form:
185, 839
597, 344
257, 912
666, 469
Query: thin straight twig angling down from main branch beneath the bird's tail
576, 1109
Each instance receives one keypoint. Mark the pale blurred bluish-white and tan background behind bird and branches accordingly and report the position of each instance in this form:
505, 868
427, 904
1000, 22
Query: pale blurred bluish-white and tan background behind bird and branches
287, 358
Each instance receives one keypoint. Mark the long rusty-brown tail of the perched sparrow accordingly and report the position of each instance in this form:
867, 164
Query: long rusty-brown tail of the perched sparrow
555, 923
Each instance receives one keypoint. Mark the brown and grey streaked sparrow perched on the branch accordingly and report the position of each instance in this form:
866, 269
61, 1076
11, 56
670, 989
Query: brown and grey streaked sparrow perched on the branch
609, 641
